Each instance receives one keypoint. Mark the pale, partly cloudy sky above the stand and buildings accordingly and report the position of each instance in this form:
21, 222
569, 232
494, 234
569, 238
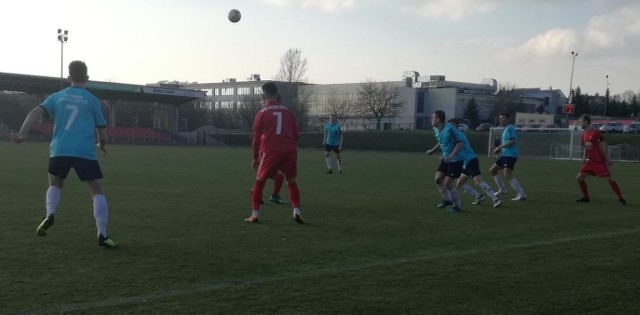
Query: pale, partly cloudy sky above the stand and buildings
520, 43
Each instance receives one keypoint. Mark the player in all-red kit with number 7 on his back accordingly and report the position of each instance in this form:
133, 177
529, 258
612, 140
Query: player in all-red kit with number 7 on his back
275, 133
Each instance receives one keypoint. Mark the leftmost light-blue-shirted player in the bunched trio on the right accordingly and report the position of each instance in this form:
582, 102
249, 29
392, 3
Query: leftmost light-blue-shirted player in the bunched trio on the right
451, 163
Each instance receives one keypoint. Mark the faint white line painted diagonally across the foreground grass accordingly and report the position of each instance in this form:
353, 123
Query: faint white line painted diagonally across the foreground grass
140, 299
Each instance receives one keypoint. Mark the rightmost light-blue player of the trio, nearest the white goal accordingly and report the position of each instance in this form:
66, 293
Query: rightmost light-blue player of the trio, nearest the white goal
508, 150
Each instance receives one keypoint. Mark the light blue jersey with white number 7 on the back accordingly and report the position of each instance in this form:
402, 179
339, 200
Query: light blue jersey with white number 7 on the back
77, 113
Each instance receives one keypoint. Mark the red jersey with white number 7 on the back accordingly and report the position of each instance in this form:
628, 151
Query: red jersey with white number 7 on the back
274, 129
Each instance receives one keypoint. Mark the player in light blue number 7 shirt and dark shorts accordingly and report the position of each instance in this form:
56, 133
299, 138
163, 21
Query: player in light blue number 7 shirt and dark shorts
77, 114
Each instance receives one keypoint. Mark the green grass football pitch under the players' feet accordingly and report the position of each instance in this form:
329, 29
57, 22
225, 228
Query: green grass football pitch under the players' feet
374, 242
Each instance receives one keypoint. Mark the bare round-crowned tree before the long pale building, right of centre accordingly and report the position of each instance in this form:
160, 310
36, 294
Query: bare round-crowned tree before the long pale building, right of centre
377, 99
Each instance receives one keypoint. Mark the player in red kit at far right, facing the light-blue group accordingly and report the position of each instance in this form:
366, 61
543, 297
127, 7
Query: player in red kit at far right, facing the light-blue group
595, 159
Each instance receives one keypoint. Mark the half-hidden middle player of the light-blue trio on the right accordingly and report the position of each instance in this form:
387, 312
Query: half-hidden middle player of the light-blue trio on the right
471, 169
